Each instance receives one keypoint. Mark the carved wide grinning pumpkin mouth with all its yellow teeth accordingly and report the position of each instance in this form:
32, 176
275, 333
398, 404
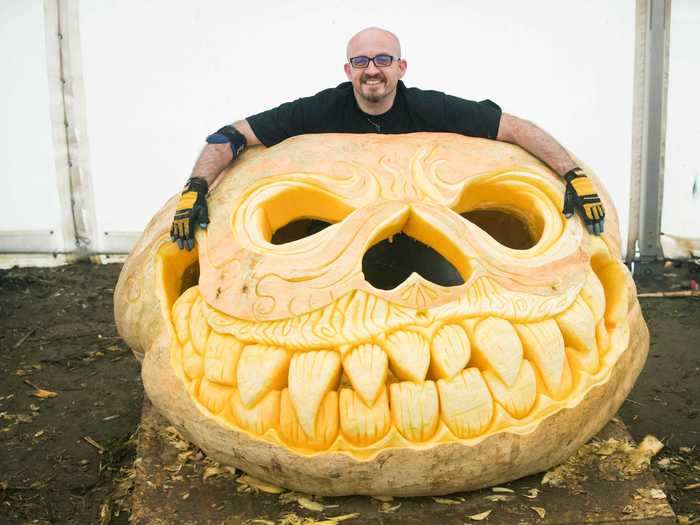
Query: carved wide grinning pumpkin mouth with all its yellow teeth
361, 374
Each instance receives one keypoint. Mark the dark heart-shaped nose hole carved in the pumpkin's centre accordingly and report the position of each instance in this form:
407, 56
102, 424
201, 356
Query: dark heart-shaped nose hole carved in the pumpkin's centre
390, 262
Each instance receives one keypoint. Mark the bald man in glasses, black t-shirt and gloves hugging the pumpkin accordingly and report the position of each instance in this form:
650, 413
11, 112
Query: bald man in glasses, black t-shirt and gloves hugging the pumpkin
375, 100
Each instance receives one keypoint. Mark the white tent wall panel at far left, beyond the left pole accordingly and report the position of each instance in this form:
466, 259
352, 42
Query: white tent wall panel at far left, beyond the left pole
31, 213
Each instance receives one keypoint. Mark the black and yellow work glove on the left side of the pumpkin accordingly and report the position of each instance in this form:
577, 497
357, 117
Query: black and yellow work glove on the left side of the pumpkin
191, 210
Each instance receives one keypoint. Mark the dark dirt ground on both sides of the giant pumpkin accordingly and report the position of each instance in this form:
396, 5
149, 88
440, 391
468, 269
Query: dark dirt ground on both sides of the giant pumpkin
71, 397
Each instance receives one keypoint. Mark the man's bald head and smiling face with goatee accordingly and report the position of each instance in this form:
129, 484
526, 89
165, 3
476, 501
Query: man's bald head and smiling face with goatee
375, 86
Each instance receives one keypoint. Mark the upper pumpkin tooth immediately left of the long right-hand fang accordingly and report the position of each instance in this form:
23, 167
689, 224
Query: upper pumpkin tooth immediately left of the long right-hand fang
497, 347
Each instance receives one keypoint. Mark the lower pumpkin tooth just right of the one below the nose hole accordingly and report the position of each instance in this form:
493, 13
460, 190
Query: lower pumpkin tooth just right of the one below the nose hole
466, 403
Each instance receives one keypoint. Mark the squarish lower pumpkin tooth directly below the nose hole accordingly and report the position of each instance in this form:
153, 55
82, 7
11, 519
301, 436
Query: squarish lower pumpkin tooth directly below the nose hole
415, 409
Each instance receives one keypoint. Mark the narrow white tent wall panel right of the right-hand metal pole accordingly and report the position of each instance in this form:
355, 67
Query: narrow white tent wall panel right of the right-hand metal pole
681, 198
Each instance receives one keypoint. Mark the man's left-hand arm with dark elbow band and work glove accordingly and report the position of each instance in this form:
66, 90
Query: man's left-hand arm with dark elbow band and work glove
218, 153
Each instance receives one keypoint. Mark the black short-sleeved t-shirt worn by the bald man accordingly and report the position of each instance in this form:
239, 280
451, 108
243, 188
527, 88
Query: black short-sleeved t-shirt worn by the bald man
335, 110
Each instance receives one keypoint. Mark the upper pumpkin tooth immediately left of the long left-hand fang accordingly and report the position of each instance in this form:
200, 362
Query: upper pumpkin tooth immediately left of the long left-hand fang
260, 369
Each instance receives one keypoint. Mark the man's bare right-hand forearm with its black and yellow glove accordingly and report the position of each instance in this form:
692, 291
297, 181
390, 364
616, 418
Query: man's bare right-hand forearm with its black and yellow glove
580, 193
